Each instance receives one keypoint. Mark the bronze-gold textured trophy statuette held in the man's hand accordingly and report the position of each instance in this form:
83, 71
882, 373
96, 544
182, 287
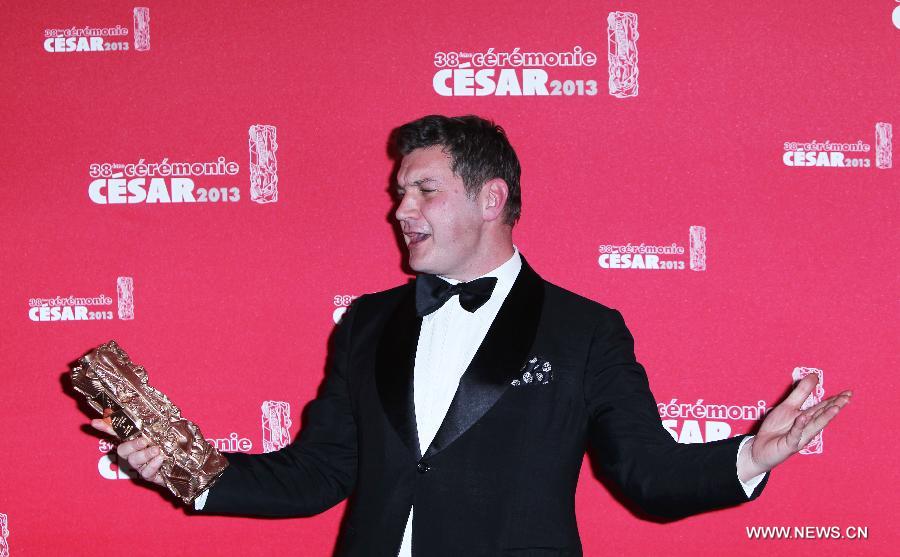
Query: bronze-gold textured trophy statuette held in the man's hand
118, 389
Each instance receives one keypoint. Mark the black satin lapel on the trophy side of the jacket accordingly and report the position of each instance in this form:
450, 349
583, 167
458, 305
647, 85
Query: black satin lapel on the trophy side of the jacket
395, 361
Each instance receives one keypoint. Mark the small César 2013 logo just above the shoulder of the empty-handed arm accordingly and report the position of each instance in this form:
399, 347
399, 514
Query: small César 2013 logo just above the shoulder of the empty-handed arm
657, 257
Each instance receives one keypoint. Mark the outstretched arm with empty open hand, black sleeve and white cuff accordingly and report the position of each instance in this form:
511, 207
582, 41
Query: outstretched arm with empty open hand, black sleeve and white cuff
671, 479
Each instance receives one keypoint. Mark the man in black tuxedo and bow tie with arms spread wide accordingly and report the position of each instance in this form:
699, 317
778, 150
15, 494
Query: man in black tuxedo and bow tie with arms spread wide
457, 410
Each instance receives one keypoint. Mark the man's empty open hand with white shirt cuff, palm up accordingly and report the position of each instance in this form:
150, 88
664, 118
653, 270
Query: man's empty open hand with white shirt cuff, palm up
787, 429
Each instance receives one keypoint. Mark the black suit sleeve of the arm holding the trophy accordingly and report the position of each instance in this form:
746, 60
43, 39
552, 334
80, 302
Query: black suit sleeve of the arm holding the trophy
312, 474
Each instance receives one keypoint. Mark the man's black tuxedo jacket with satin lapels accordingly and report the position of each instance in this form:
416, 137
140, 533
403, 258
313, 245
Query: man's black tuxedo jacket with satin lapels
500, 476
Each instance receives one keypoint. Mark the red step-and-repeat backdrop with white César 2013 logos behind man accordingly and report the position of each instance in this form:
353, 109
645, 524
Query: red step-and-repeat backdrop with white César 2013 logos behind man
208, 184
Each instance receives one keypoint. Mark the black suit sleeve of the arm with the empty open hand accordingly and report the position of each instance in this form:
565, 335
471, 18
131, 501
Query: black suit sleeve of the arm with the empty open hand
663, 477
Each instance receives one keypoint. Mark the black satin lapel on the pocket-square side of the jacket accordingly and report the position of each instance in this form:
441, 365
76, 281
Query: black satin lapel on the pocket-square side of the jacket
497, 361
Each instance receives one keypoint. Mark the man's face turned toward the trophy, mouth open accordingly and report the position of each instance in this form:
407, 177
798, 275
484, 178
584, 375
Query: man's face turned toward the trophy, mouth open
442, 227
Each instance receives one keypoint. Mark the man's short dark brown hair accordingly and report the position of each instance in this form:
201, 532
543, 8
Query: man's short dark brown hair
479, 151
